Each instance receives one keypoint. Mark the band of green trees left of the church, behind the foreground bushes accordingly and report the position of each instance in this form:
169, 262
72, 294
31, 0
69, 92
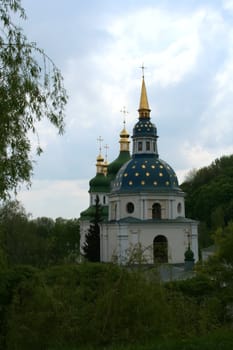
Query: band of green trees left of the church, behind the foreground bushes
40, 242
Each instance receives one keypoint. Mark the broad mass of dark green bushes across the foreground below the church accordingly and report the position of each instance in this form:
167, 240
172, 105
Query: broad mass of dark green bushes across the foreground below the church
95, 304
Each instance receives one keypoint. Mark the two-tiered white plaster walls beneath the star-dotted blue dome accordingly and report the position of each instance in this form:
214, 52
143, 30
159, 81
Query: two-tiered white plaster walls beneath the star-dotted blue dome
125, 230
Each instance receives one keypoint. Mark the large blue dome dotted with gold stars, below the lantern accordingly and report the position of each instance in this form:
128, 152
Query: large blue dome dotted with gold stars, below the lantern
146, 173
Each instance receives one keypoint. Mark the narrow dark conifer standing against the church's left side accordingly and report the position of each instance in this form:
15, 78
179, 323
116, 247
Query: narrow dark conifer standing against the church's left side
91, 246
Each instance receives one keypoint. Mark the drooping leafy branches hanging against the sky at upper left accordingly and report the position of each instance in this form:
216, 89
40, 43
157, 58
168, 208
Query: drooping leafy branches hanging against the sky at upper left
31, 89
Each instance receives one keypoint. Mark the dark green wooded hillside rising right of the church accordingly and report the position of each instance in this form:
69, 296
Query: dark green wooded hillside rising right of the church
209, 197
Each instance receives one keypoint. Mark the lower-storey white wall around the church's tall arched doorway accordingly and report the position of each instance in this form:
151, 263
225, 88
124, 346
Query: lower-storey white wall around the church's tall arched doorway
121, 238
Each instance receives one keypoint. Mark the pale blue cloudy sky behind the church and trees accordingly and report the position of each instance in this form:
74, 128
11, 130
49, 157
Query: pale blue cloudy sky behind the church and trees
99, 45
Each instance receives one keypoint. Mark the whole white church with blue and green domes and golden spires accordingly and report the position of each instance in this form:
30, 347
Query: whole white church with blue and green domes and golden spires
143, 205
